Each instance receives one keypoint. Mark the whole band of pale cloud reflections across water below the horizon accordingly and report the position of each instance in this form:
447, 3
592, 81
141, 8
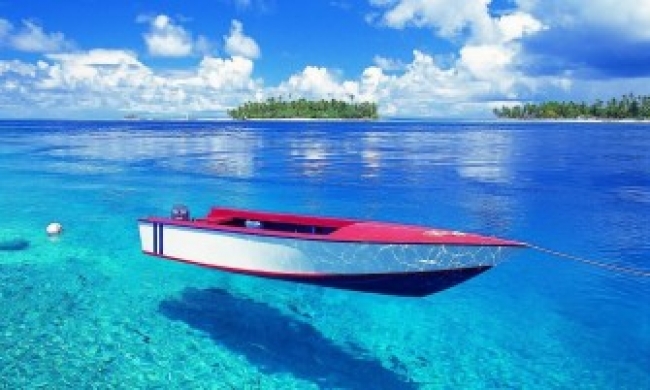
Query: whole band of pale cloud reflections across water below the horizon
322, 152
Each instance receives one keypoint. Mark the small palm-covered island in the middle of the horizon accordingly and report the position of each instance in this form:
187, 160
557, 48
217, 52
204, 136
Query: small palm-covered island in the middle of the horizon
277, 108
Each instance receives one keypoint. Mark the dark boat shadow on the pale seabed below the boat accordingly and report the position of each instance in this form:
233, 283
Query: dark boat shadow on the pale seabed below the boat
276, 342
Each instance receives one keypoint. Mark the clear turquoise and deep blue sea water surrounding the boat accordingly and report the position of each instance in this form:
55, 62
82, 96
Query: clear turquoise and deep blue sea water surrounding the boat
88, 310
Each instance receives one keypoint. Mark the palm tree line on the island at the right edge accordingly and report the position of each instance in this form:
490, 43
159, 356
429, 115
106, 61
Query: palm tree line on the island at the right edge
627, 107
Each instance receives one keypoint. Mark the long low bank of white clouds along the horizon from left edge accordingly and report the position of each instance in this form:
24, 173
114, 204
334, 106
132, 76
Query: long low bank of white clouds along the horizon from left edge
116, 81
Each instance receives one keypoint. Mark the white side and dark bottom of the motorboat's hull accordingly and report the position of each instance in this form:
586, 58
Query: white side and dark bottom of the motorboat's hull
388, 268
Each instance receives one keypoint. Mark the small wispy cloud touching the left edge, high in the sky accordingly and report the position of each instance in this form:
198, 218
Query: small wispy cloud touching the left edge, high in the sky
31, 37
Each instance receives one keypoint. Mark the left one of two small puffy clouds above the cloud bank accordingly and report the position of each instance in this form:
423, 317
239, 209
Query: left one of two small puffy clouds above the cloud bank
166, 39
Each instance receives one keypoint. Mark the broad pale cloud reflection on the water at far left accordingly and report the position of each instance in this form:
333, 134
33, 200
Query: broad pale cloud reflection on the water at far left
220, 151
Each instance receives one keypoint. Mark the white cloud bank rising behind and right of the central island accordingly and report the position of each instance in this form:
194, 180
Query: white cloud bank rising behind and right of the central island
424, 88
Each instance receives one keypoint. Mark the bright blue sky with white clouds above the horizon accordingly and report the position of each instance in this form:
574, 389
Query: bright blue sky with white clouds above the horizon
91, 59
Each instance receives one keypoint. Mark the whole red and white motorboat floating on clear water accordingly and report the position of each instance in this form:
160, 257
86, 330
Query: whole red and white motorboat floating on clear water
368, 256
